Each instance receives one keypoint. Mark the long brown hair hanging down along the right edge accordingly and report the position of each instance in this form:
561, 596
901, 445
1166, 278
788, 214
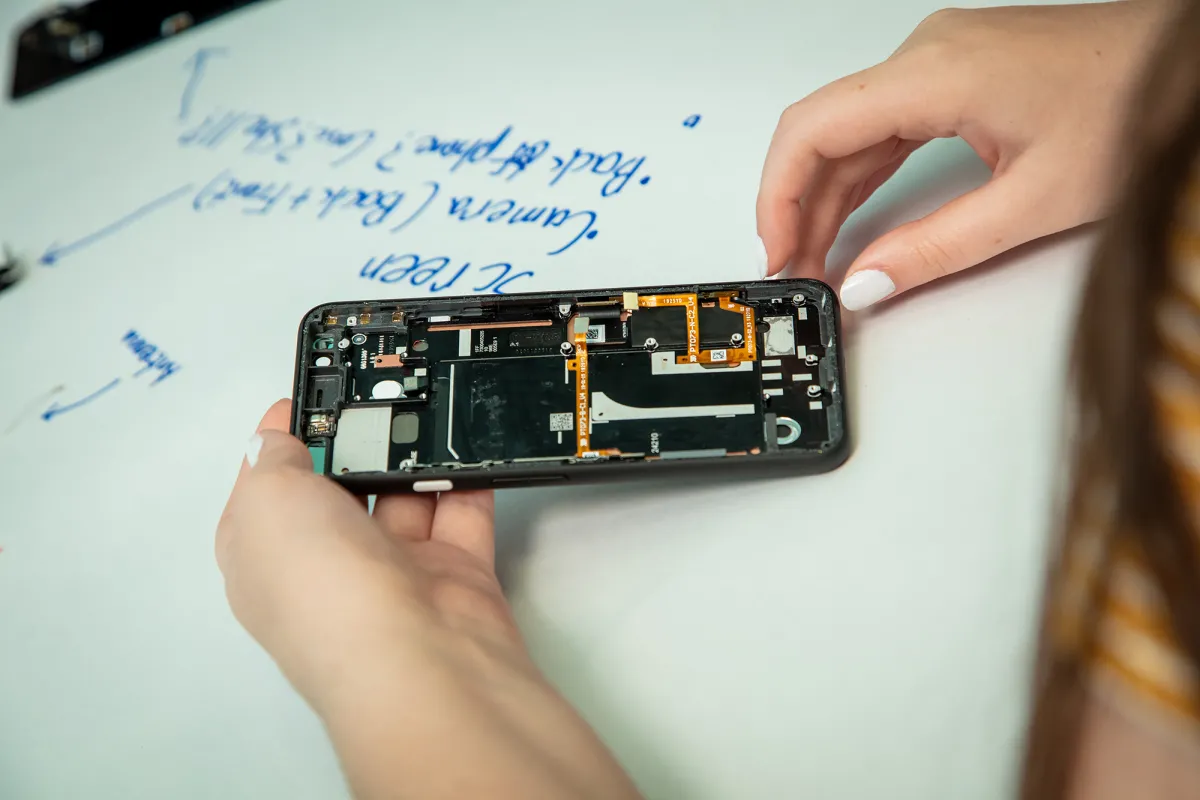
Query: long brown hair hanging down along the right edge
1117, 443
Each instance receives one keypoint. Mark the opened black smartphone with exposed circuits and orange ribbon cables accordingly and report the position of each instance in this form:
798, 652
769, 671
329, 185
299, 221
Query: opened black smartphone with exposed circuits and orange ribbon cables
437, 394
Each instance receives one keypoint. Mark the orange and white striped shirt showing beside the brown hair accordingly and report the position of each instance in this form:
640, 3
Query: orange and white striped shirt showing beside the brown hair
1136, 660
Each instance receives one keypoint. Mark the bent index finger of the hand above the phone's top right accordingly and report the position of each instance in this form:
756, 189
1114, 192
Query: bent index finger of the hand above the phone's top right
895, 99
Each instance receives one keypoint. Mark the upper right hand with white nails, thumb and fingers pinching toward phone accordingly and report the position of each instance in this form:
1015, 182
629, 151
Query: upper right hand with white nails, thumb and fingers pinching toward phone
1037, 92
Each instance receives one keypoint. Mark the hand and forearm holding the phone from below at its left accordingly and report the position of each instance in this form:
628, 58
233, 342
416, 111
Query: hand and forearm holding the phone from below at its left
395, 630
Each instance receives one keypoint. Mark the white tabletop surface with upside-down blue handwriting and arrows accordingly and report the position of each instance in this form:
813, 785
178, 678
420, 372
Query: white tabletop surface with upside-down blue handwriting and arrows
859, 635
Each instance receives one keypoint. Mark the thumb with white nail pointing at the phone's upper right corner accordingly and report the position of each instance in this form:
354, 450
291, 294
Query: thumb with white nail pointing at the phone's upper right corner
965, 232
